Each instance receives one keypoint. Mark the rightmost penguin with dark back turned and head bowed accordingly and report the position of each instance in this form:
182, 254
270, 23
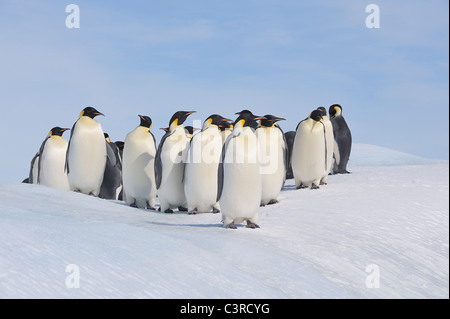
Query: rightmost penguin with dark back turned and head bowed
342, 140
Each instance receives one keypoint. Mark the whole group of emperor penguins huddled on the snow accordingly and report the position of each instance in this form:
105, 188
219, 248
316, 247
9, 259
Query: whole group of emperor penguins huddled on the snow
228, 167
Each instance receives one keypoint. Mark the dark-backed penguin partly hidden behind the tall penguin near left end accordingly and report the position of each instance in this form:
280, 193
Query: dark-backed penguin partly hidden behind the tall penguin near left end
112, 178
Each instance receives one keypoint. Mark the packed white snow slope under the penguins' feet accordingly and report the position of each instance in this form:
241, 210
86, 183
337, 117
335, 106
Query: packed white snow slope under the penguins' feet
392, 212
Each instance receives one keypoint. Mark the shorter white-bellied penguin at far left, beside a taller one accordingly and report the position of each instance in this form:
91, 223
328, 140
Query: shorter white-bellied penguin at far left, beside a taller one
52, 158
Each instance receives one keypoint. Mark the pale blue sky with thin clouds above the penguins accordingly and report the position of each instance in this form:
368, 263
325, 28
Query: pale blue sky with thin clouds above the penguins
274, 57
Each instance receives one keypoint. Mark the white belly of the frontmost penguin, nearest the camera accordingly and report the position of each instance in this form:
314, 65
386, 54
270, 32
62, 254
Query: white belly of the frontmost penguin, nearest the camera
241, 192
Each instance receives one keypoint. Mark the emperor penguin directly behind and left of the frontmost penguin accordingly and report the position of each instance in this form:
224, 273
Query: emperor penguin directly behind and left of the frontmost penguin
200, 172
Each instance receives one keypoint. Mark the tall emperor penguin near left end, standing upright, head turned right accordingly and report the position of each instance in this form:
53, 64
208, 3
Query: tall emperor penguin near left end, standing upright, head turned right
86, 154
